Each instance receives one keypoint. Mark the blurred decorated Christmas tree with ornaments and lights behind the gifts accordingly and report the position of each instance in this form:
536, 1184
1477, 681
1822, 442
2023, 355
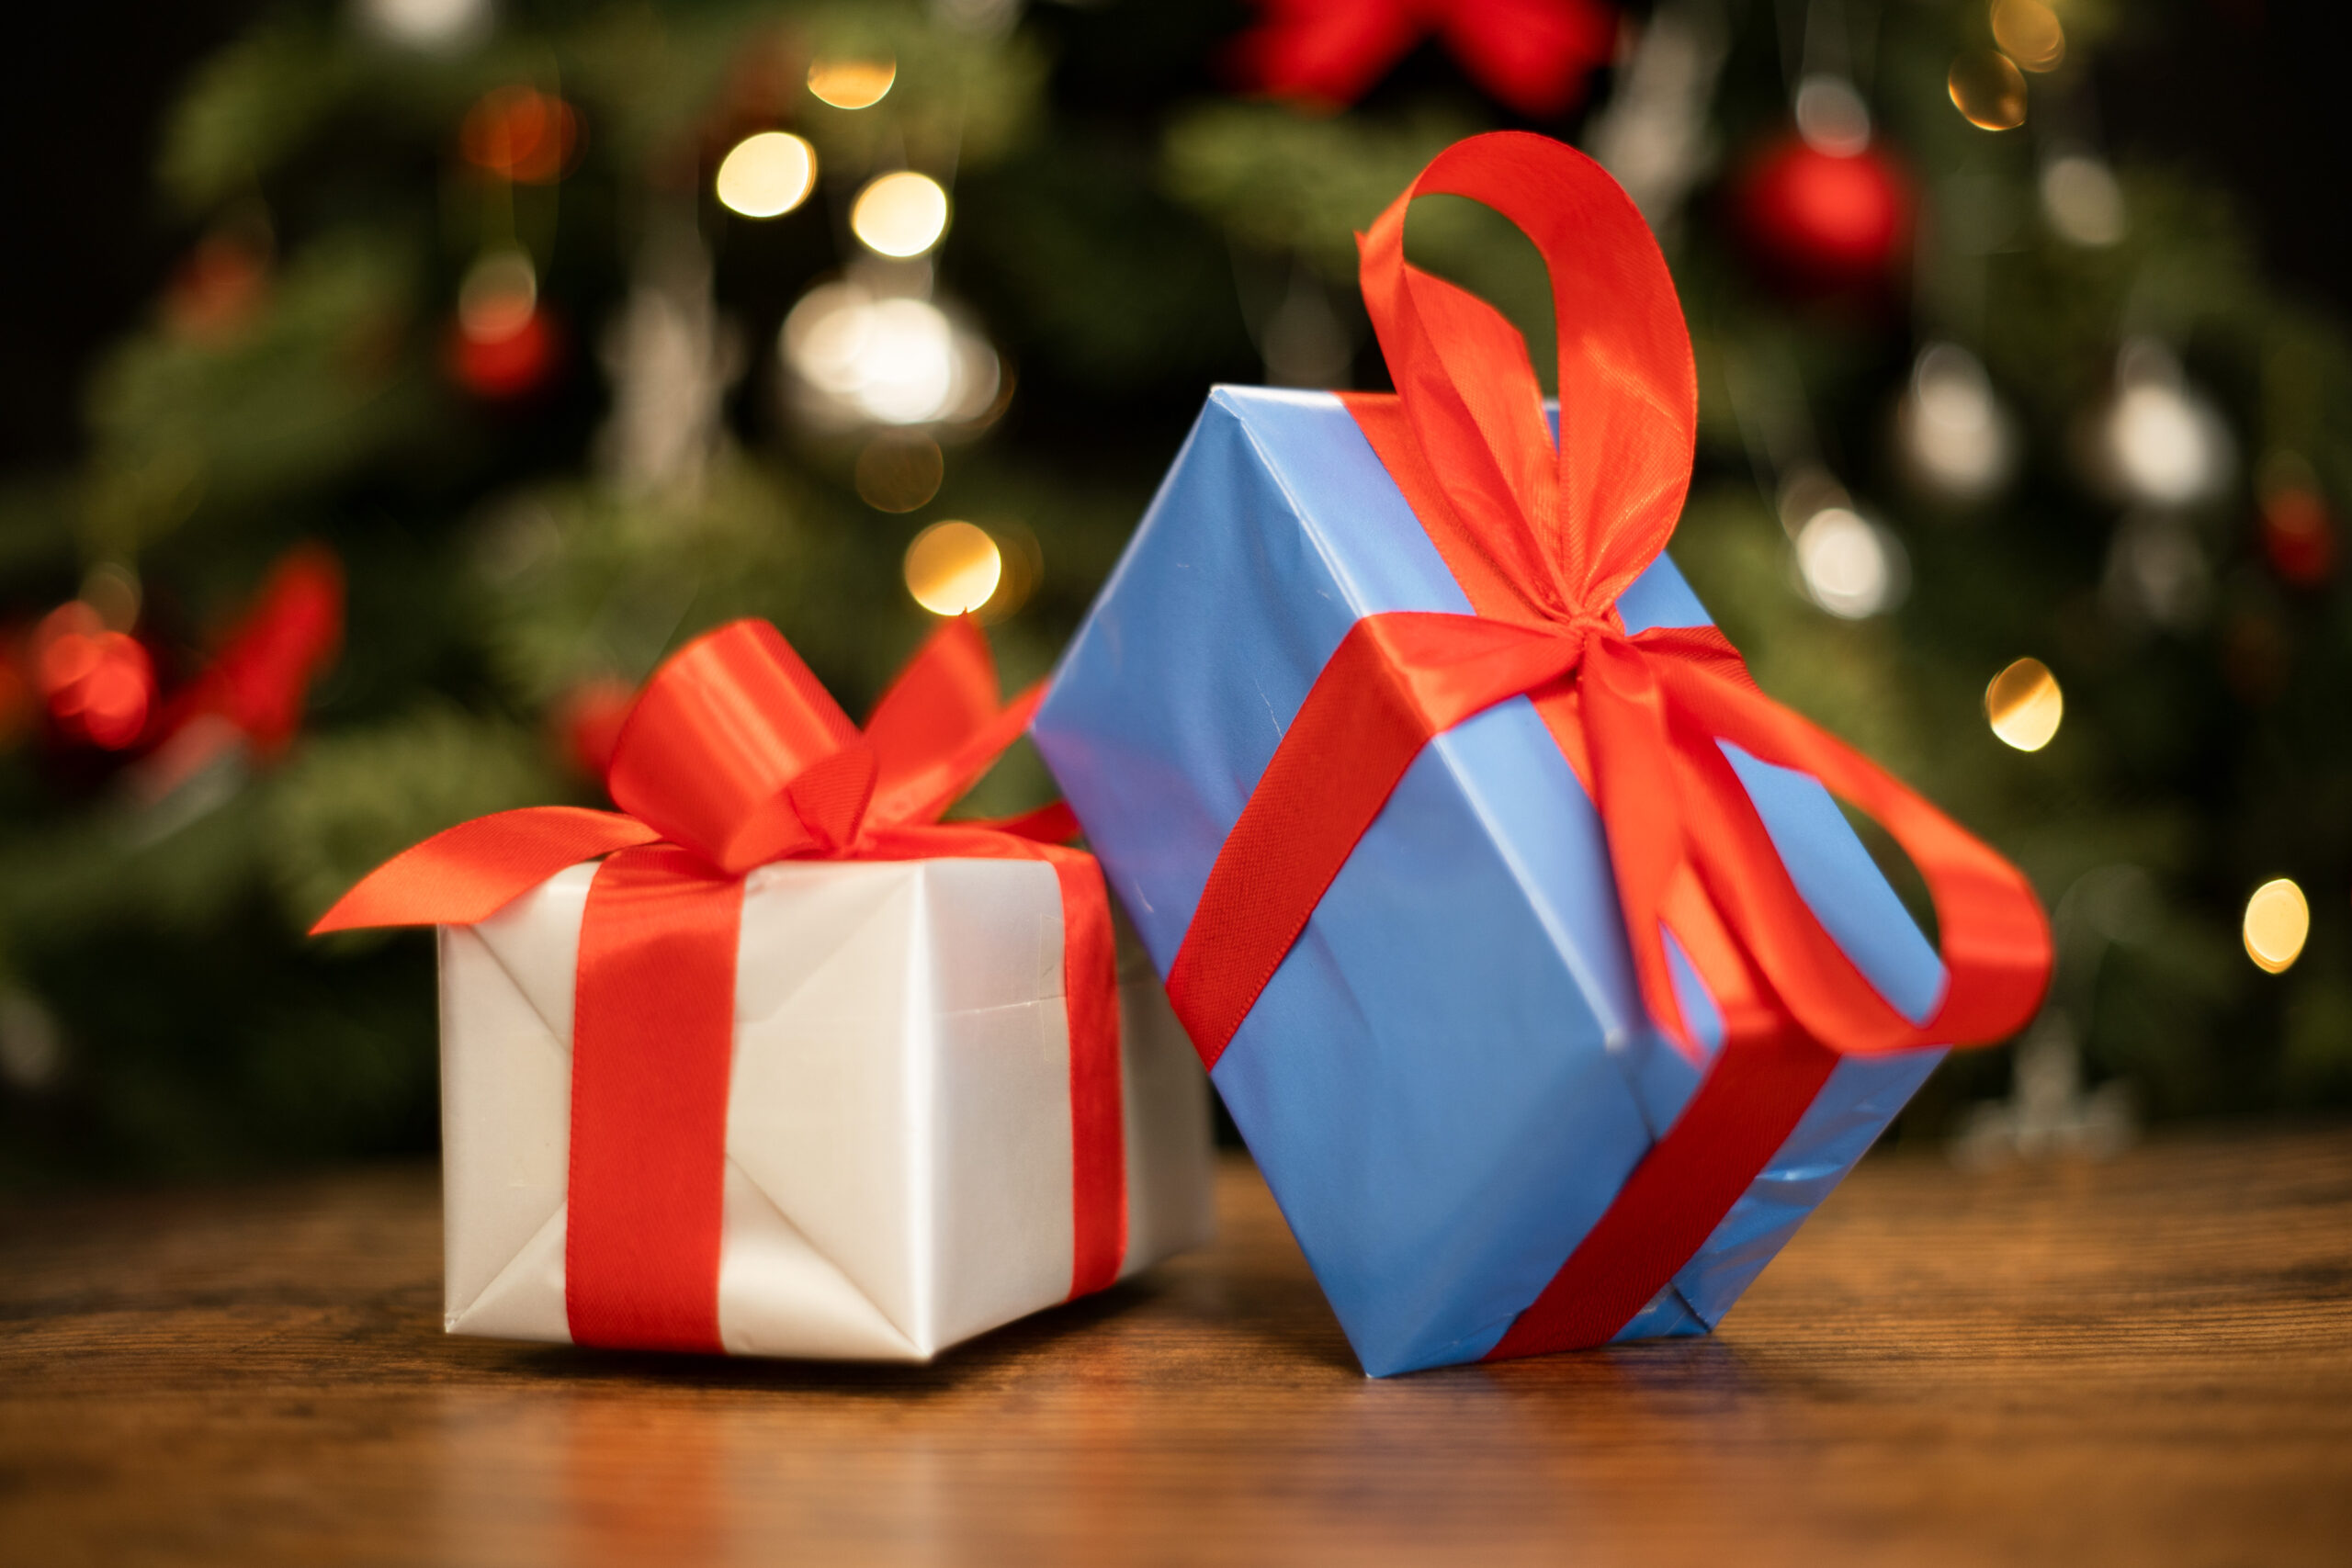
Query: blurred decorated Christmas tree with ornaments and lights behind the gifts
519, 344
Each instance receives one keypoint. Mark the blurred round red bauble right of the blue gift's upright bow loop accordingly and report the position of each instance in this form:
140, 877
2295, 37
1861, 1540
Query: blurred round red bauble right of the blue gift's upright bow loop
1824, 222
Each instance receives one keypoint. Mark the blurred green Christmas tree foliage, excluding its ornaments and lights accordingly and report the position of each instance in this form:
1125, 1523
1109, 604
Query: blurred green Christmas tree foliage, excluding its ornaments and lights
1121, 234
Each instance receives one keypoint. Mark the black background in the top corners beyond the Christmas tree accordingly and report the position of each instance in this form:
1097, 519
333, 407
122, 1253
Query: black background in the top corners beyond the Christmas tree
2240, 91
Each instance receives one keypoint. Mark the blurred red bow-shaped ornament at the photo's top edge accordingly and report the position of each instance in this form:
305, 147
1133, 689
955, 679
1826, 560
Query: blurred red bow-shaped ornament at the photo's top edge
1530, 55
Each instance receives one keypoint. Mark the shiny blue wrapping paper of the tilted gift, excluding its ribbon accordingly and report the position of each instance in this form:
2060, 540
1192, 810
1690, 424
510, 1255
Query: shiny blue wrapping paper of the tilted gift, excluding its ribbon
1452, 1076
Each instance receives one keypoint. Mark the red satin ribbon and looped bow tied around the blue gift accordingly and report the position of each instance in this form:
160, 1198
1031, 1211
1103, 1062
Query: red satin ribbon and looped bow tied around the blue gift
1544, 540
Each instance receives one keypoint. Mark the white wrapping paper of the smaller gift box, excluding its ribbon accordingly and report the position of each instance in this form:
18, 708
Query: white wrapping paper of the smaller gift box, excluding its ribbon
897, 1127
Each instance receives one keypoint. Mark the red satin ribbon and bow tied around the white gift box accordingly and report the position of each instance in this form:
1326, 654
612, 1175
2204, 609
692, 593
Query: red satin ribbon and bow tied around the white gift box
735, 756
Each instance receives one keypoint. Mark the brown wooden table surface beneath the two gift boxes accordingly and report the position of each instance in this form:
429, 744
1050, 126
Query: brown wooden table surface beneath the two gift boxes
2134, 1362
